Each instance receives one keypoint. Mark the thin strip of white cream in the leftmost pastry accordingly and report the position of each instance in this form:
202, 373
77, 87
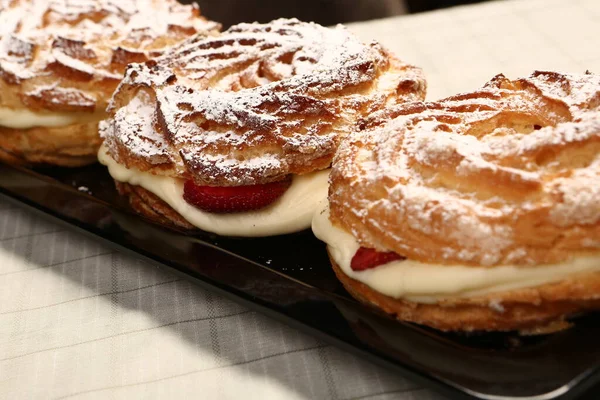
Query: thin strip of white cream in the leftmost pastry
25, 119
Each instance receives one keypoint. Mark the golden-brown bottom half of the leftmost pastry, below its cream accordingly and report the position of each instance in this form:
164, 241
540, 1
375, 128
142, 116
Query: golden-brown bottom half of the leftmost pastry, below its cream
68, 146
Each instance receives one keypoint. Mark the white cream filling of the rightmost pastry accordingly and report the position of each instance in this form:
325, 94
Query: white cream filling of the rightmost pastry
429, 283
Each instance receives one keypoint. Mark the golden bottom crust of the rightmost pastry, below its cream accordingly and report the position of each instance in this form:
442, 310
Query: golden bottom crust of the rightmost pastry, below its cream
540, 309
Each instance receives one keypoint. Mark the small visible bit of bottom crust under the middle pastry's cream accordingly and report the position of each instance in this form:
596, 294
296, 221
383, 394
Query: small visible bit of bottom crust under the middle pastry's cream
151, 206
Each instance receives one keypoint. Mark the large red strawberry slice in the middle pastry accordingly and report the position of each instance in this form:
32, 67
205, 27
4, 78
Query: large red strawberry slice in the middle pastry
231, 199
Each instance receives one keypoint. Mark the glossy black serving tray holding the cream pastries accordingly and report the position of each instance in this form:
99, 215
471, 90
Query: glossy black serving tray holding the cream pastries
289, 278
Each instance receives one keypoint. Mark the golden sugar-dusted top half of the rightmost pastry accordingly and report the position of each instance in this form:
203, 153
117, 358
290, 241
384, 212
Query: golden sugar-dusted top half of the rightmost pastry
506, 174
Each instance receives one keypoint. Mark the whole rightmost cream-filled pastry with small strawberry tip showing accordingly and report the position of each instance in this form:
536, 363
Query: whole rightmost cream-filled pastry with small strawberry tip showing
477, 212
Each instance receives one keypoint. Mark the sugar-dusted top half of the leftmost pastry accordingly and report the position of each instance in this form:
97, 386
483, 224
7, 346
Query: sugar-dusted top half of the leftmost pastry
69, 55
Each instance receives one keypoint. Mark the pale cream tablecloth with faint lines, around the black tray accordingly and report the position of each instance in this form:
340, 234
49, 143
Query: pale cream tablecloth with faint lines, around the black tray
79, 320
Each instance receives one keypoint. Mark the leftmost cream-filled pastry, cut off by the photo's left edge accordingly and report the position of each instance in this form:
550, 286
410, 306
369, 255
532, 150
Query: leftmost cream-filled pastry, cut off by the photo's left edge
60, 62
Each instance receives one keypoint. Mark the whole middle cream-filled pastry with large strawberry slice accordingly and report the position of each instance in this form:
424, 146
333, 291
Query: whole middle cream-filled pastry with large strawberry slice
234, 134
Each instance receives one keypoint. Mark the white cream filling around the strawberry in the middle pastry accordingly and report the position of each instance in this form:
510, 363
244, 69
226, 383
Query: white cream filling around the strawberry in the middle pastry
292, 212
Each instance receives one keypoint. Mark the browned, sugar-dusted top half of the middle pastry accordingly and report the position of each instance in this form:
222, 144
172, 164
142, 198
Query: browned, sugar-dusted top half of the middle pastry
253, 105
